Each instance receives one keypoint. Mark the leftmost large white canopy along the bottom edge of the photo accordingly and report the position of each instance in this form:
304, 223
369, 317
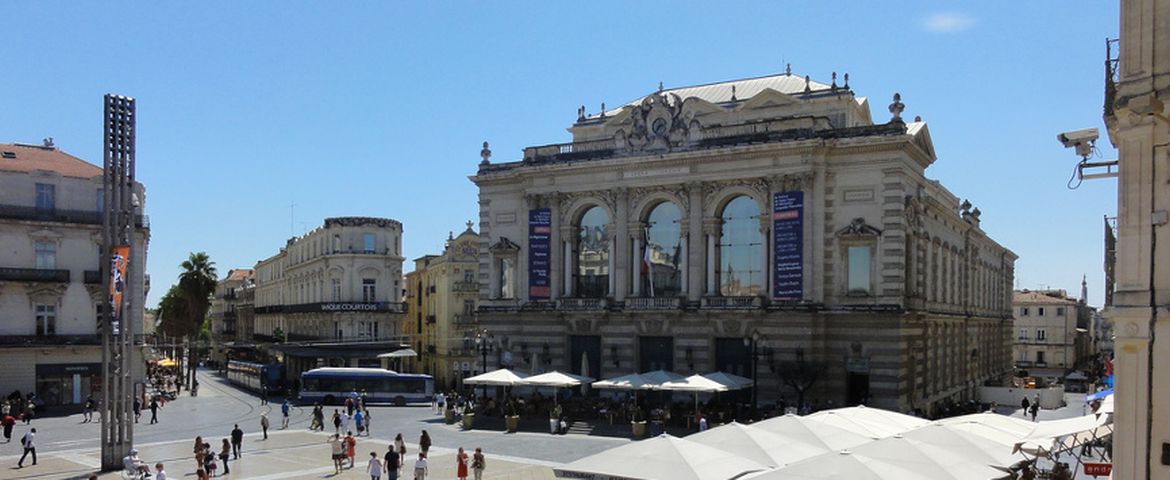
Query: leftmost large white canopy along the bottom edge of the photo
664, 457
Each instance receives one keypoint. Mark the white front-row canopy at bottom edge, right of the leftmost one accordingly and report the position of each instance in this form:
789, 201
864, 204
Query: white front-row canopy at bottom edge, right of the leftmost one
893, 458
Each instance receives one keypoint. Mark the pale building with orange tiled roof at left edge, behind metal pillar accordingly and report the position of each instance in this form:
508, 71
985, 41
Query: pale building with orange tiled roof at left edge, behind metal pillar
51, 286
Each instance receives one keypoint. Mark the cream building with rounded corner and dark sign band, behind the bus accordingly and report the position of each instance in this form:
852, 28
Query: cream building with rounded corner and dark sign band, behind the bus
333, 297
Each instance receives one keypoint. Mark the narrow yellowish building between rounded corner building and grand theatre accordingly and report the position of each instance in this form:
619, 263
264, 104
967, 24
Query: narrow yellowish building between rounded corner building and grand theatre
442, 297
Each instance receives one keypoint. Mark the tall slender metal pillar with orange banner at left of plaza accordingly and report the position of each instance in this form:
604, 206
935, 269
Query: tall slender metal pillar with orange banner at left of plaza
118, 323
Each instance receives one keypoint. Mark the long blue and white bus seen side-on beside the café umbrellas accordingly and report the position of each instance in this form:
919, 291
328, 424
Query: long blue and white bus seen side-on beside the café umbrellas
333, 386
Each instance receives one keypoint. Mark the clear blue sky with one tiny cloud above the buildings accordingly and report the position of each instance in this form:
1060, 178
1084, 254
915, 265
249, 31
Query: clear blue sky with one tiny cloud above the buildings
380, 108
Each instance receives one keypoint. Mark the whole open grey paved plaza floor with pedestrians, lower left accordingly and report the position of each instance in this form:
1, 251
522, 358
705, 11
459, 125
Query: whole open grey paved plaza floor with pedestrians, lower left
70, 449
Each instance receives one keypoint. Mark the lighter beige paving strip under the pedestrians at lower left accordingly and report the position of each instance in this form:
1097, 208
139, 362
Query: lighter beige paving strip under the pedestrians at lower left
286, 455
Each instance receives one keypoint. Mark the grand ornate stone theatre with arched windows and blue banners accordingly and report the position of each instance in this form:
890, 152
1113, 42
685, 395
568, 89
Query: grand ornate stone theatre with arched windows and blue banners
746, 227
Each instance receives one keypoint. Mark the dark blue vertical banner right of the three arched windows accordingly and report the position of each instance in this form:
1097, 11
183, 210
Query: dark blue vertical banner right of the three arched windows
788, 244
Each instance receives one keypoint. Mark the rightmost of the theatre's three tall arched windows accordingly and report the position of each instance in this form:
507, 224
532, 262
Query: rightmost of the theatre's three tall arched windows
741, 250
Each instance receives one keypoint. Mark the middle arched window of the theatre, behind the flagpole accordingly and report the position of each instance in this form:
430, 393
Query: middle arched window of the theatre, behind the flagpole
662, 259
